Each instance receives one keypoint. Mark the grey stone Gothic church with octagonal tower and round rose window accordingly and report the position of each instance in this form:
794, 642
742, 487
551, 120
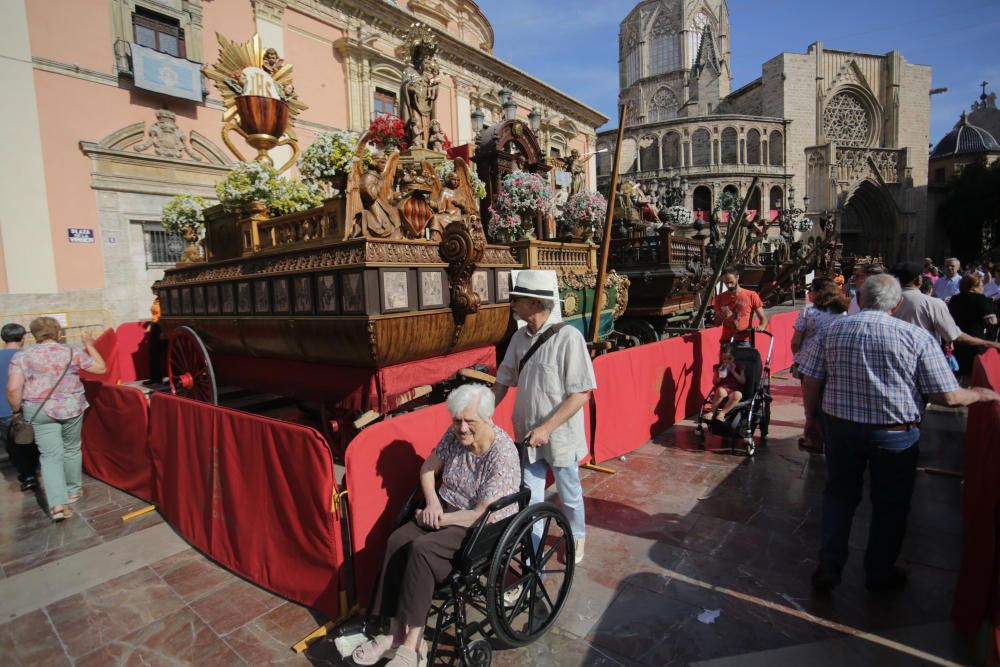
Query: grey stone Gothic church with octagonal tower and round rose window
848, 129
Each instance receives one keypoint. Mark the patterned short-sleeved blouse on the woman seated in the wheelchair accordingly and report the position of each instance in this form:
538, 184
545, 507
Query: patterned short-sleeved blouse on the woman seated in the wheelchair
468, 479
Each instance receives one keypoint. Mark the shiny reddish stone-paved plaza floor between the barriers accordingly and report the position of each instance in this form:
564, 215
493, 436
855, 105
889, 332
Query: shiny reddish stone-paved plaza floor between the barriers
693, 557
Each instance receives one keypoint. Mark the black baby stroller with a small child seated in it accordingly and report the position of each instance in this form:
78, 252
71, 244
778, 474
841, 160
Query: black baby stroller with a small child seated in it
754, 409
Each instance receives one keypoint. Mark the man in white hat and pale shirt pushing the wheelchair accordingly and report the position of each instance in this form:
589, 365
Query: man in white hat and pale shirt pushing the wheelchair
549, 364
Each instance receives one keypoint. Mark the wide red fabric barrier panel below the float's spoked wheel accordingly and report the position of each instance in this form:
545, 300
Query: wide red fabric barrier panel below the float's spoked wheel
252, 493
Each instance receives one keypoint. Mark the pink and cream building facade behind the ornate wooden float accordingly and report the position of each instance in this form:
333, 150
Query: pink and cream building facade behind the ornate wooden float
101, 146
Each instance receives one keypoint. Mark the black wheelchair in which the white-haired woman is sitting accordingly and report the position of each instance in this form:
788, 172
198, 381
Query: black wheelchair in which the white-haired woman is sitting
516, 590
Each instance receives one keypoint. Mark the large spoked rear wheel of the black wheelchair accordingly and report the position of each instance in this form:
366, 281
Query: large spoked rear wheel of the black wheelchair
527, 587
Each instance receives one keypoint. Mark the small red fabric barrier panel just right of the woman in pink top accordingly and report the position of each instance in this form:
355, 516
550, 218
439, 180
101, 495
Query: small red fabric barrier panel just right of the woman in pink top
115, 439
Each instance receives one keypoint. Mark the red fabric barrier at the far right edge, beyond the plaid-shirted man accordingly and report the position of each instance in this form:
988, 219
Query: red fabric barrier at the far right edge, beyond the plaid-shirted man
976, 595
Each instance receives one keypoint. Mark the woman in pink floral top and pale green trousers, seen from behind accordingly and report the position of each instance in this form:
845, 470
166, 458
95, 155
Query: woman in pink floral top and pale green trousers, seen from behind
43, 384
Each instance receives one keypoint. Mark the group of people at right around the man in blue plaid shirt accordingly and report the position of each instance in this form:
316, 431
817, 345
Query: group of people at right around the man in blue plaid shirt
870, 361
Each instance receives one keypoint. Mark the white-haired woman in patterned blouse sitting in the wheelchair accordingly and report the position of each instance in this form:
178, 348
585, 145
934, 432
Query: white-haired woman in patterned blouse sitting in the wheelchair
478, 463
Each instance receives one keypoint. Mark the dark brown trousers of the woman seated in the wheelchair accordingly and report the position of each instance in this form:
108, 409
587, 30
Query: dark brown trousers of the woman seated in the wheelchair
417, 560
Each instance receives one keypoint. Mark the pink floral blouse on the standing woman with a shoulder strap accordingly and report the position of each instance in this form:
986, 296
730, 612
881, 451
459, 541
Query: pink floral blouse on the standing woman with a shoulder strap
41, 365
